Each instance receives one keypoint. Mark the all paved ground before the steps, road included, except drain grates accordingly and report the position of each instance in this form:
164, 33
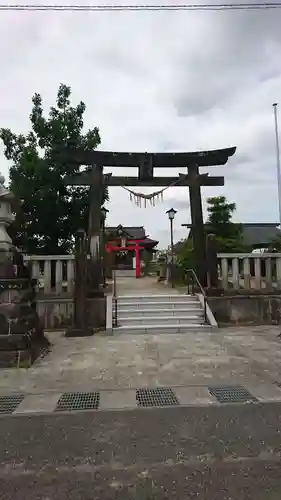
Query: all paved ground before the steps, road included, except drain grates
204, 451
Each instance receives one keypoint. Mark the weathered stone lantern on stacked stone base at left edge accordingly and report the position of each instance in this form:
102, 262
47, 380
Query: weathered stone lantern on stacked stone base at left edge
21, 333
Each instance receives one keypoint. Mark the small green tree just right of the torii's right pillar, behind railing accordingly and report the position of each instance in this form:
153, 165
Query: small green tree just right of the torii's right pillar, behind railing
228, 234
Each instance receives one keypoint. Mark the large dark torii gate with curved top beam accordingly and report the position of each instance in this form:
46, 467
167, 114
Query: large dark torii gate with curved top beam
95, 178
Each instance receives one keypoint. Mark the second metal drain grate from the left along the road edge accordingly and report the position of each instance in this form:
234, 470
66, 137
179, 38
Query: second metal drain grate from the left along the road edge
71, 401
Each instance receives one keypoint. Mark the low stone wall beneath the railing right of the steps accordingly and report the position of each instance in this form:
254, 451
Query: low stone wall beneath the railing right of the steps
254, 309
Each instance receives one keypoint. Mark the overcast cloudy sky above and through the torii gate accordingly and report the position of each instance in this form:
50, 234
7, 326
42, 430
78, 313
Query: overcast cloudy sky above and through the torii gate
157, 81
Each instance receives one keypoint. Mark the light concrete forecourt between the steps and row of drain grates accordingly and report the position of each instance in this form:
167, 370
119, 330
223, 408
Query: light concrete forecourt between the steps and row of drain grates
246, 356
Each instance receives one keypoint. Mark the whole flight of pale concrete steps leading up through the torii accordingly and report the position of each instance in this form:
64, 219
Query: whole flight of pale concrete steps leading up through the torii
159, 314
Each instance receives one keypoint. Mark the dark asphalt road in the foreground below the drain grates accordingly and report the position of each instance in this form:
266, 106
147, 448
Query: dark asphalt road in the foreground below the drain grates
229, 452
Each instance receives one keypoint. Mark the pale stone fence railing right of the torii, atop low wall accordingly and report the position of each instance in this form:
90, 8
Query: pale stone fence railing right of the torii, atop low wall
250, 271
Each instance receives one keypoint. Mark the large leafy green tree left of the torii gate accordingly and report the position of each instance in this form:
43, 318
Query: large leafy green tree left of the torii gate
50, 212
